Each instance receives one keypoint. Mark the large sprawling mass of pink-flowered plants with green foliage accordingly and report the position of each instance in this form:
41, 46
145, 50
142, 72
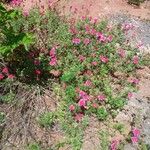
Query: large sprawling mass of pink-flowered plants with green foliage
92, 64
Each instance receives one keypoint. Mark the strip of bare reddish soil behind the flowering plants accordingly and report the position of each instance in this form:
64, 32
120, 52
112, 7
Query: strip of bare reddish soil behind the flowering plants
94, 8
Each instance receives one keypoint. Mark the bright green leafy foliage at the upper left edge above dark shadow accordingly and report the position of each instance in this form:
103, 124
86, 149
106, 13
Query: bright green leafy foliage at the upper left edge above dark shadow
11, 40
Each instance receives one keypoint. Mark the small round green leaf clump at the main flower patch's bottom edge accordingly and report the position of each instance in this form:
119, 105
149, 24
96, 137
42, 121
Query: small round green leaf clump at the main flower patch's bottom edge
102, 113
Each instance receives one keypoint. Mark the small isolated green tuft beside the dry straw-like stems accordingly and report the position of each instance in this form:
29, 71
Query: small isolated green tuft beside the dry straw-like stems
46, 119
